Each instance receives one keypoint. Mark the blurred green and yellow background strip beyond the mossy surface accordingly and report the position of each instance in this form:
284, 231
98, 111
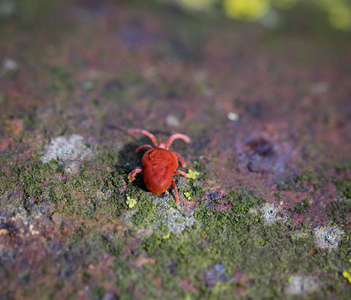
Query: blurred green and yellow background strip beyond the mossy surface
315, 14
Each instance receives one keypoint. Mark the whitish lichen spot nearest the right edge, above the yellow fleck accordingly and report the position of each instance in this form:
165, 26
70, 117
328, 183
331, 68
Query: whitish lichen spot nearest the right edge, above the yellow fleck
328, 237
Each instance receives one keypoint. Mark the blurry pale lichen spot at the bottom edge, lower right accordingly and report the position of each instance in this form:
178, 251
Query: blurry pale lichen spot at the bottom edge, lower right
299, 285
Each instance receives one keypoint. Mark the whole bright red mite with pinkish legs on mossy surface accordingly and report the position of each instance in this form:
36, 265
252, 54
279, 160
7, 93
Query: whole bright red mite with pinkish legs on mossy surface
160, 164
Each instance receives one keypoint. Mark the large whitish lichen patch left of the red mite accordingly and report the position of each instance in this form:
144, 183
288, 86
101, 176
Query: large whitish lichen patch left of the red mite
68, 151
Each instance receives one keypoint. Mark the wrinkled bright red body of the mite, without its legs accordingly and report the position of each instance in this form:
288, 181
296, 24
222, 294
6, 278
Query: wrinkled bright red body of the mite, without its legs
159, 166
